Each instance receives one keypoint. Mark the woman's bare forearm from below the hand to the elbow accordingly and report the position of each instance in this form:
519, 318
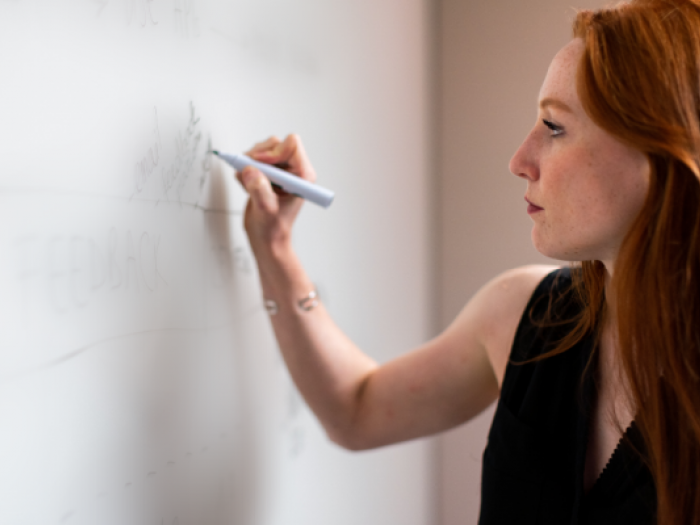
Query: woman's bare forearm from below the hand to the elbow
328, 369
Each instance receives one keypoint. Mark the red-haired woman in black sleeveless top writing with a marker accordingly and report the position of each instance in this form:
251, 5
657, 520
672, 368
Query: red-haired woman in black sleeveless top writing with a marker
596, 369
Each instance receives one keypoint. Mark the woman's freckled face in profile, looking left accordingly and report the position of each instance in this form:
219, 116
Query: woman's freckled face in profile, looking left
585, 187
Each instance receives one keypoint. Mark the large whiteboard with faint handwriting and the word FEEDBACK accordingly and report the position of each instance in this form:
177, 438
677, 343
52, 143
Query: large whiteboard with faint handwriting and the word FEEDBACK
140, 382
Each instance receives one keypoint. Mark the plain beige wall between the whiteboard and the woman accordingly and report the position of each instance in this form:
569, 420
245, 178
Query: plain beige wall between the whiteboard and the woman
493, 57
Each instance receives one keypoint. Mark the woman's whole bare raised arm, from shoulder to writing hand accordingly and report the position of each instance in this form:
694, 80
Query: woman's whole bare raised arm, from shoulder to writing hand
361, 404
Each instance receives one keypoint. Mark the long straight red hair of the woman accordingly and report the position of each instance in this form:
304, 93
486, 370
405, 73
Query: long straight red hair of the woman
639, 79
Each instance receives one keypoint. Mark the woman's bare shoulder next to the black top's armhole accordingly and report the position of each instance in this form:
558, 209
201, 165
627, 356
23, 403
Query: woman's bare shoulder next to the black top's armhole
497, 308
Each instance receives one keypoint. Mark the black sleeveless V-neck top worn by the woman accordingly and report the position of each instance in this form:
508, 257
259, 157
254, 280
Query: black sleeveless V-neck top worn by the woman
534, 461
